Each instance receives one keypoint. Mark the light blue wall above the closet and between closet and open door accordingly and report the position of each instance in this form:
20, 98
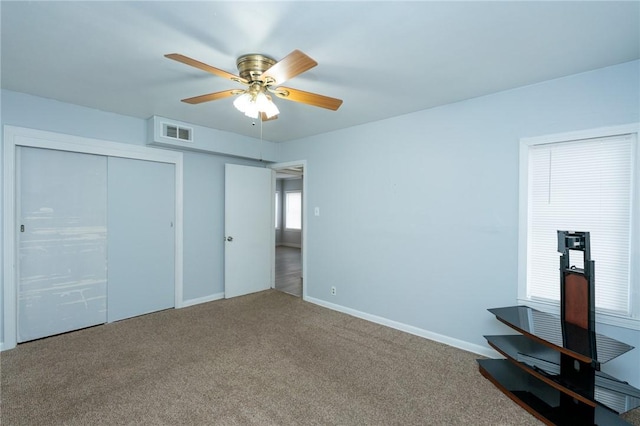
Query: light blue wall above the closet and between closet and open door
203, 179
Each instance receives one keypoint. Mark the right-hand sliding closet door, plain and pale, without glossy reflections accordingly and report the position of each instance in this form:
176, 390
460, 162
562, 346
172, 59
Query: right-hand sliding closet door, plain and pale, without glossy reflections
141, 237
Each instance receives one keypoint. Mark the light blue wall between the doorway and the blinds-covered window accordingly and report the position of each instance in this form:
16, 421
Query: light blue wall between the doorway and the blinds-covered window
419, 213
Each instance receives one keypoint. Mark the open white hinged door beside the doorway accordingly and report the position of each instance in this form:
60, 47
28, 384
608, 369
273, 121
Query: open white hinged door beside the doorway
249, 230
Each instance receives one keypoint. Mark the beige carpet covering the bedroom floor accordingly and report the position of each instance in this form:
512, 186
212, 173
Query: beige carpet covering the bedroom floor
263, 359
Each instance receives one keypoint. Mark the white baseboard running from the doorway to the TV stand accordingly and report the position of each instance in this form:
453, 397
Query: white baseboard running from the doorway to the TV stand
440, 338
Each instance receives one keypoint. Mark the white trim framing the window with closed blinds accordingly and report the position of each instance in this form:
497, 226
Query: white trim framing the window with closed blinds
632, 322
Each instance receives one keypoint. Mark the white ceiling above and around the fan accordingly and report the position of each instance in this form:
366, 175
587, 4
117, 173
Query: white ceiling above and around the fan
382, 58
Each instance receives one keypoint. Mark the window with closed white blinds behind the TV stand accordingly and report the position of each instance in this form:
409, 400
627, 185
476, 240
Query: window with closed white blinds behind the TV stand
581, 184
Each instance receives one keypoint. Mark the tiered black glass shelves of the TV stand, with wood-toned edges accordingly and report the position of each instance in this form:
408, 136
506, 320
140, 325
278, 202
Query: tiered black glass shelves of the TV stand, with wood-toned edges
553, 370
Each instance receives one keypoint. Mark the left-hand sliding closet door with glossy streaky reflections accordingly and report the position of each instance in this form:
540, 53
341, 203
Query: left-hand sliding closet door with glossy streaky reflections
62, 209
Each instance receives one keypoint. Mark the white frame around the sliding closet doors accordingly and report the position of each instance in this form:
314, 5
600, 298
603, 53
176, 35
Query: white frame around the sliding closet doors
22, 137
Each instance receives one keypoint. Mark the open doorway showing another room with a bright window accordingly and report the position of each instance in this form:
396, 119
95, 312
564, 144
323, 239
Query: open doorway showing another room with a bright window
289, 228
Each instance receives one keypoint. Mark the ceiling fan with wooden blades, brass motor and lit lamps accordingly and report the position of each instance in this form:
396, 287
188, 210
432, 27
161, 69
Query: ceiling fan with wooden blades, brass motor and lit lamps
262, 75
